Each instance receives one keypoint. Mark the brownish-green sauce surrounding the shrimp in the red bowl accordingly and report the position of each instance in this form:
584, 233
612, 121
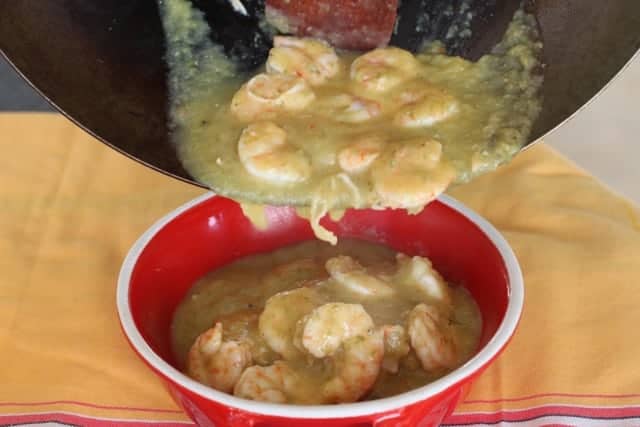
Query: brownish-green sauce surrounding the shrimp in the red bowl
244, 286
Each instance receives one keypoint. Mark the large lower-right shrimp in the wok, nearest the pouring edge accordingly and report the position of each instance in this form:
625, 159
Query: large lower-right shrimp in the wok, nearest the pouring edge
413, 175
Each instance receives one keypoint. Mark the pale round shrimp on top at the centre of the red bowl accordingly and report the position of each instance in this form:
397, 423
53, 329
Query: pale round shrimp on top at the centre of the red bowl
328, 326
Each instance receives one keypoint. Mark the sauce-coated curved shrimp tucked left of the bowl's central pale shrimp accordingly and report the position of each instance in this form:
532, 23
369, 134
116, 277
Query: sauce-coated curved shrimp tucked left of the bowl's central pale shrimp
282, 311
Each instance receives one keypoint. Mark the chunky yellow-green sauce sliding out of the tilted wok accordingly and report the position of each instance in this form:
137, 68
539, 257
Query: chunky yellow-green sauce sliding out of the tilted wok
497, 103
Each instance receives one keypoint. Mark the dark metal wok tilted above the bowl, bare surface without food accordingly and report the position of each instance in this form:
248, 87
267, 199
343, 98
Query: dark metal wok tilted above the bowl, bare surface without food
101, 62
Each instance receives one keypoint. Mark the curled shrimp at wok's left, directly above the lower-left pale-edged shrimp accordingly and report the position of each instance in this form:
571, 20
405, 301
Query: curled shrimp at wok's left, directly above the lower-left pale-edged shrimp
266, 95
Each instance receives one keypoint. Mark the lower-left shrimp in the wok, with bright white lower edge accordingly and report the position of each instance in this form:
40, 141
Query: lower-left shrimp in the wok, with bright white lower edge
265, 153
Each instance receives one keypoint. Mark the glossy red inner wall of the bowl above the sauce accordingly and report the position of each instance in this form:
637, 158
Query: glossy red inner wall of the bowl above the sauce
215, 232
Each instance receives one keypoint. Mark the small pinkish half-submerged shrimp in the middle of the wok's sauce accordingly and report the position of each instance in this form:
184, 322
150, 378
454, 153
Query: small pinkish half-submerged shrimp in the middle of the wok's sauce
346, 108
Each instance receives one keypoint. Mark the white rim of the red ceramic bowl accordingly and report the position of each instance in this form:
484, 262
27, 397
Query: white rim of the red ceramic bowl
489, 352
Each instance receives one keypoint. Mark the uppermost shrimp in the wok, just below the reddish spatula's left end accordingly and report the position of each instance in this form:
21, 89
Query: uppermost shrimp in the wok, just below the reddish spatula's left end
313, 60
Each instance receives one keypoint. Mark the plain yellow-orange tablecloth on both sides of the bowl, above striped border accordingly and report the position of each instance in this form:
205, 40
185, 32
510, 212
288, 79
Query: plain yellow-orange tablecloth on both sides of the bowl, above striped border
71, 207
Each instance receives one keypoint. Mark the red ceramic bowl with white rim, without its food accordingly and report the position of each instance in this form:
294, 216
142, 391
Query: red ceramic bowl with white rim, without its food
212, 231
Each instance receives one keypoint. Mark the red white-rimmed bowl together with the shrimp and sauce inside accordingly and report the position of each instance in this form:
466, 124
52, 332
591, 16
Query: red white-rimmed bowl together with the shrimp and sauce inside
371, 330
